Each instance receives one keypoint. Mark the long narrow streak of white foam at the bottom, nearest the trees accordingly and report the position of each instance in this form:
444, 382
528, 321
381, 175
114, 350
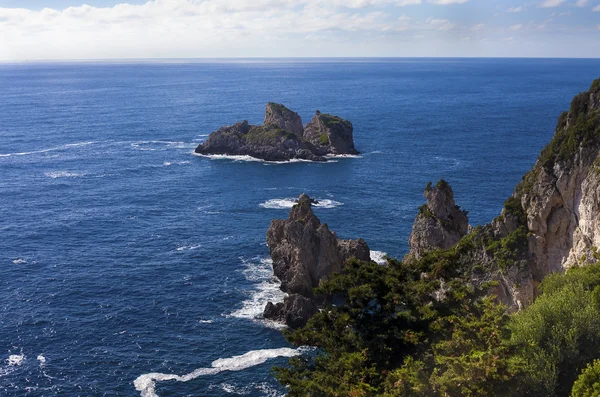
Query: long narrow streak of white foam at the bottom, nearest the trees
146, 384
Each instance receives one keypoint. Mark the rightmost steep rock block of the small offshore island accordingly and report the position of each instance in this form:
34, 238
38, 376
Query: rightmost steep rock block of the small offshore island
331, 132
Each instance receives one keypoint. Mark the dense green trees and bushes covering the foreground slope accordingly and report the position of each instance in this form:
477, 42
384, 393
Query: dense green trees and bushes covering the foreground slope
405, 331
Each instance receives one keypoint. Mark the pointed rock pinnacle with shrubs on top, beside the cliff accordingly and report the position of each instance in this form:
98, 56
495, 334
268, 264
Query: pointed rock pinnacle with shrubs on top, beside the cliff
440, 223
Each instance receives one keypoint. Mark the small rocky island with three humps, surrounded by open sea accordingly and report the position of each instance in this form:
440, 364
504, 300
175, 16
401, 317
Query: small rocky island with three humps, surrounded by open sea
283, 137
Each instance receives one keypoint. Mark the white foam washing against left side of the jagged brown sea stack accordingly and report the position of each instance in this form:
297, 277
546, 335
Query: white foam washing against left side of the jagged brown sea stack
266, 289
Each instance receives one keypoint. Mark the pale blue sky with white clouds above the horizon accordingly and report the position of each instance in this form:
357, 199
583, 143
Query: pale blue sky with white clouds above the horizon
137, 29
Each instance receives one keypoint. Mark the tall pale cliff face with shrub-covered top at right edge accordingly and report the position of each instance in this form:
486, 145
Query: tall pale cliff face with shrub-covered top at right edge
560, 195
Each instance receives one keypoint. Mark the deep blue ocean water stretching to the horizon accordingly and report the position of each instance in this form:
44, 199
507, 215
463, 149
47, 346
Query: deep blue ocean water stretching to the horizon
130, 267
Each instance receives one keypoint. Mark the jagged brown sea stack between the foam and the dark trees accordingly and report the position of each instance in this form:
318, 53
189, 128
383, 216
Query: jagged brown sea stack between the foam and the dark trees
305, 251
